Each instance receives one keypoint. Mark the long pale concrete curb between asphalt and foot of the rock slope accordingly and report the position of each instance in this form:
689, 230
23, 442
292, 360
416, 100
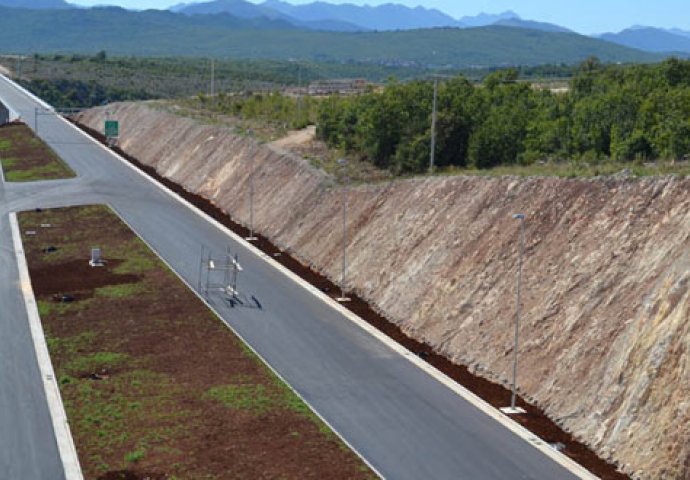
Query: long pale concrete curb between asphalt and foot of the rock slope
476, 401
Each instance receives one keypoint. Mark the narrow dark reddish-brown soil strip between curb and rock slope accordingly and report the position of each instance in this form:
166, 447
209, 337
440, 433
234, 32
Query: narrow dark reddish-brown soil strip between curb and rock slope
497, 395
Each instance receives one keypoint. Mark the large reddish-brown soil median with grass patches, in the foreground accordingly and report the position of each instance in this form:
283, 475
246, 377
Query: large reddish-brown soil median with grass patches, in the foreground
167, 332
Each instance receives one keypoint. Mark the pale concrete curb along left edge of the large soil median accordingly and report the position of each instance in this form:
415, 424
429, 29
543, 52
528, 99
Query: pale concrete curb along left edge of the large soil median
65, 443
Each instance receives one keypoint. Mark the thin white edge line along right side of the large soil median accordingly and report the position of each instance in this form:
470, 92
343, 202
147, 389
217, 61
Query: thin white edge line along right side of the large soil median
246, 343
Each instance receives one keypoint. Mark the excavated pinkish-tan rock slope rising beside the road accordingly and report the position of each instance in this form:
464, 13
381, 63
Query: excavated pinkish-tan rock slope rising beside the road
605, 336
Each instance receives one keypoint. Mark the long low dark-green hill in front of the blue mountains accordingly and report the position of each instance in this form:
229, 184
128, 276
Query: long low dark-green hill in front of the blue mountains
161, 33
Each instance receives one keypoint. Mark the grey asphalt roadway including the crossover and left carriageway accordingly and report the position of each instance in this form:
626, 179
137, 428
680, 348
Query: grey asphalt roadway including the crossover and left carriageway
404, 422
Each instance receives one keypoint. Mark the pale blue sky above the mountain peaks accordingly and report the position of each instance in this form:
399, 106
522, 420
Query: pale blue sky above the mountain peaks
584, 16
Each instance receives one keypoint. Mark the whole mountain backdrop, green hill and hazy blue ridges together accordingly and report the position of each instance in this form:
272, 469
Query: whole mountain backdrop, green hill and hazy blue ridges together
232, 20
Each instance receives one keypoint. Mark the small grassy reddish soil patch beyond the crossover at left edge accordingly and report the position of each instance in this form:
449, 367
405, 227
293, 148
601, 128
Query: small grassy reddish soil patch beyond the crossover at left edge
30, 157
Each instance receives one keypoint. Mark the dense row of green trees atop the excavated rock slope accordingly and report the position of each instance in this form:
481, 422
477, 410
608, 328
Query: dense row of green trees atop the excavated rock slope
619, 112
